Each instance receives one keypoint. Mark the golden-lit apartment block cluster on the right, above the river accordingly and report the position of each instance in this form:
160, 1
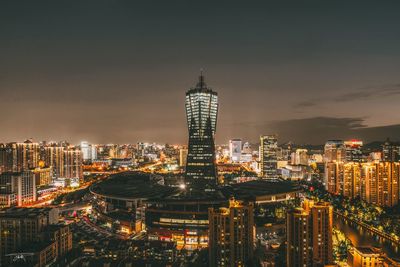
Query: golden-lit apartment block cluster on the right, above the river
373, 178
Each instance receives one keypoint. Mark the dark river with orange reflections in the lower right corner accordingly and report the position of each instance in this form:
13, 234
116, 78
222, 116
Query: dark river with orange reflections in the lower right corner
362, 237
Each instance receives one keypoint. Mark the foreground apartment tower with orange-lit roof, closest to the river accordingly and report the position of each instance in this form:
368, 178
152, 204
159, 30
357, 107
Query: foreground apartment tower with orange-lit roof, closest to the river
309, 235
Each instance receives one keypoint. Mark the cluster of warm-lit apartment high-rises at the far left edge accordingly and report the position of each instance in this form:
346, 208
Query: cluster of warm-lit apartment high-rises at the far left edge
25, 167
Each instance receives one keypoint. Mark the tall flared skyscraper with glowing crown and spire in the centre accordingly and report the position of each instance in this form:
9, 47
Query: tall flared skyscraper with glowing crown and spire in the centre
201, 113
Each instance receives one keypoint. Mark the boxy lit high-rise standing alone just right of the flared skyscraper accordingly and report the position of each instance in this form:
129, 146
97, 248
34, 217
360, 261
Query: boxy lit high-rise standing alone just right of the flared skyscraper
268, 156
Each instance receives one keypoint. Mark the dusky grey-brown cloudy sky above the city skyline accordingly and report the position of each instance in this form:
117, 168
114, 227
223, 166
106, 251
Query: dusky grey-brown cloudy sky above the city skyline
117, 71
